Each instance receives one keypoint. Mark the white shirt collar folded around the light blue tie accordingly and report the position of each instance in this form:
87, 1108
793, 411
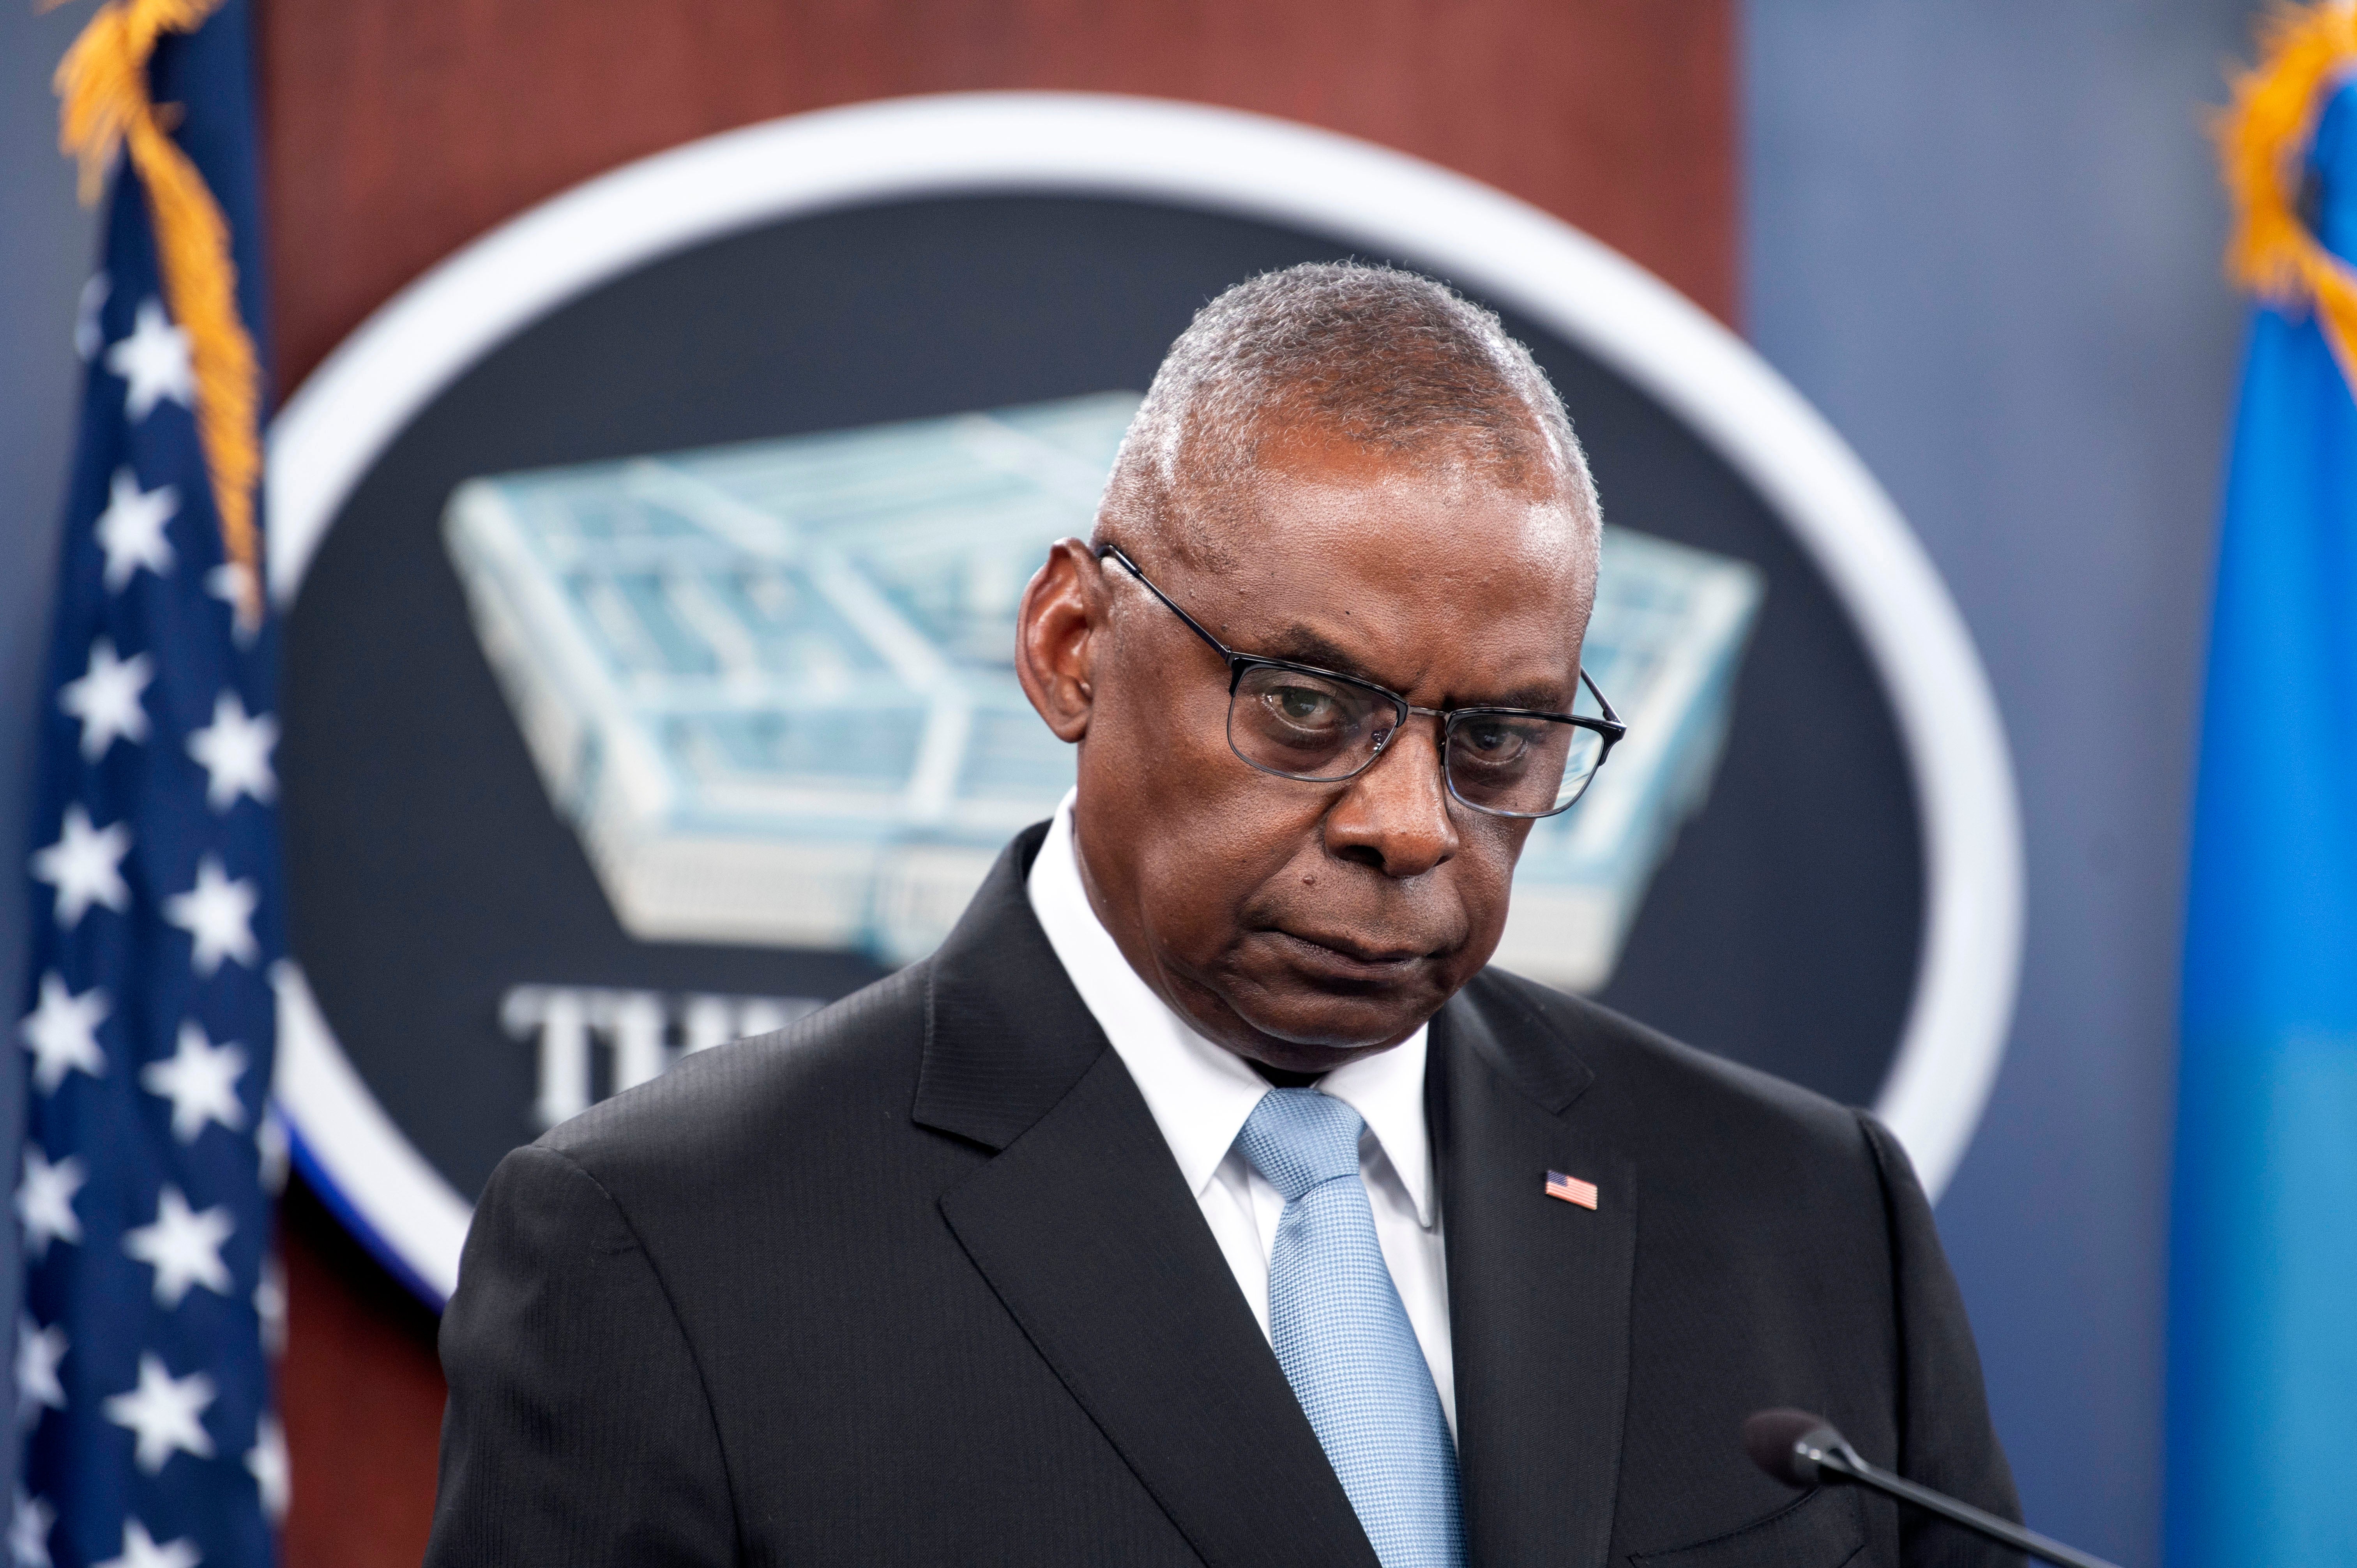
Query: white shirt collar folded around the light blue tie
1196, 1091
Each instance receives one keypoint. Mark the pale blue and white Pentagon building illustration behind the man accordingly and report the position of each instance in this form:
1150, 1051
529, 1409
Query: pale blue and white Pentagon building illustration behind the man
772, 685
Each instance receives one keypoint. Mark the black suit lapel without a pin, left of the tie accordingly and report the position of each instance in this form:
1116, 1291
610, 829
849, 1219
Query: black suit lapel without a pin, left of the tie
1097, 1249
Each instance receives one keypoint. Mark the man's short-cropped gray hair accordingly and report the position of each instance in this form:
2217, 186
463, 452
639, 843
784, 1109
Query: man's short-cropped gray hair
1375, 355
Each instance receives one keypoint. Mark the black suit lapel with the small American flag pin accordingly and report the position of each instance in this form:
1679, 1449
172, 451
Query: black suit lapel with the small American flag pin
1538, 1293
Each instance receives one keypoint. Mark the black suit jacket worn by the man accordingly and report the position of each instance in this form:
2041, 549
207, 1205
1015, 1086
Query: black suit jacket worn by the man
918, 1282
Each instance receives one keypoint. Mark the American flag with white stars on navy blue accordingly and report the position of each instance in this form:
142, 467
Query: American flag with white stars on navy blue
143, 1378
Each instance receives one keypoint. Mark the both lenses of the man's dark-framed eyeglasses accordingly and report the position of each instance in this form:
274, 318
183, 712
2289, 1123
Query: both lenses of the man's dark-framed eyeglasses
1321, 730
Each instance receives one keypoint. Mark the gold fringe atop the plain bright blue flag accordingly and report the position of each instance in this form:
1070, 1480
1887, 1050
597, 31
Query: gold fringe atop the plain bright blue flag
2264, 147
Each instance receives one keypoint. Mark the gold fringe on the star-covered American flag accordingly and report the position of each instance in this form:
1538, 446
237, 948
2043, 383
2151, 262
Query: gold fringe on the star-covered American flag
103, 91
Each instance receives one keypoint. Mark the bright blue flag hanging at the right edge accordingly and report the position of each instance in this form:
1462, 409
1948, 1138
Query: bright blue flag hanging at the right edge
2264, 1267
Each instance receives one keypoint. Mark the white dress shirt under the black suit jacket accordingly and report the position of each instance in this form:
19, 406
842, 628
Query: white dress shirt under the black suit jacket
1203, 1093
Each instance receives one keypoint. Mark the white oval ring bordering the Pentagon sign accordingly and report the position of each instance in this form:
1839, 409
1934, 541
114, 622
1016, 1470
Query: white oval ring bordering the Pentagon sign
1187, 154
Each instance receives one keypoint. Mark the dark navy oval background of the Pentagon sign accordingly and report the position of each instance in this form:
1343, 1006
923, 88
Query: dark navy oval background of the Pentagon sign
430, 874
